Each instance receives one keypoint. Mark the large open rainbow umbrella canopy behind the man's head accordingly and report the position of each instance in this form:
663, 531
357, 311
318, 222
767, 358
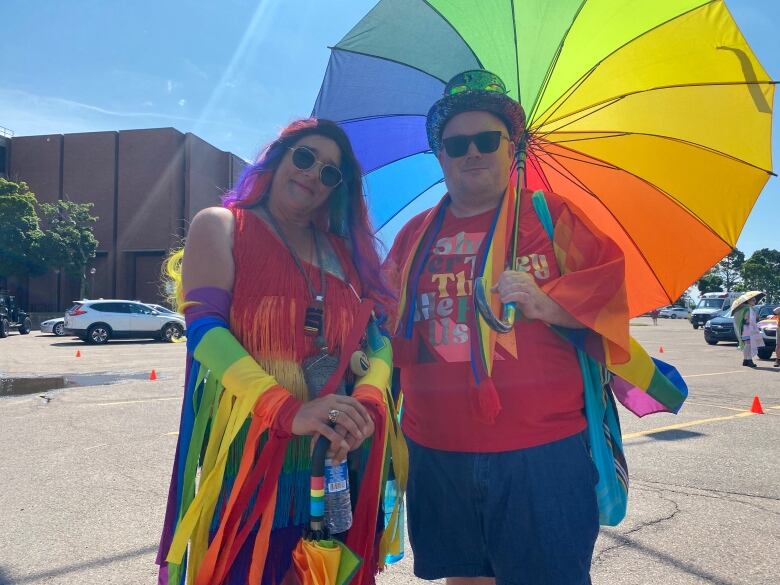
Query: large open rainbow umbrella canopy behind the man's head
652, 117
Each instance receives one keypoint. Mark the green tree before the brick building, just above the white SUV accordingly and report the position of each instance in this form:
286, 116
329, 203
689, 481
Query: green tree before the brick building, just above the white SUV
69, 242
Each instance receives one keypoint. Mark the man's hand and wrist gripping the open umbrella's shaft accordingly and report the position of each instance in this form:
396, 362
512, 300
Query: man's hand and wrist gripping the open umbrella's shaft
531, 301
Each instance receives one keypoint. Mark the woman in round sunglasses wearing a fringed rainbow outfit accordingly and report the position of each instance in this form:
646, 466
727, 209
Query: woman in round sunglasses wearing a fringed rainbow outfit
274, 278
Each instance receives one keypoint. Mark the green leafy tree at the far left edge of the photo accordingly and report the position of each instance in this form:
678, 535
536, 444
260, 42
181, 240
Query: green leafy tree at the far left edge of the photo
20, 232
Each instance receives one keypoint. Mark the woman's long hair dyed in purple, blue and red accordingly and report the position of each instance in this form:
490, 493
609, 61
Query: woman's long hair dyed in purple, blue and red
346, 207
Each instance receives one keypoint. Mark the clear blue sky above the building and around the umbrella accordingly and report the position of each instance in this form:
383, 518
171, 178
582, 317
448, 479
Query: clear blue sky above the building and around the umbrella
234, 72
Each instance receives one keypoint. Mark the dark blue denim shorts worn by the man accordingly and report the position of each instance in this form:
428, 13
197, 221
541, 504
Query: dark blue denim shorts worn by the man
525, 517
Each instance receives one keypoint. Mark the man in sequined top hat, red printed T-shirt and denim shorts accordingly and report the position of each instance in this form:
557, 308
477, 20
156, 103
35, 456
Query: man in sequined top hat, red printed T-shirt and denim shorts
508, 498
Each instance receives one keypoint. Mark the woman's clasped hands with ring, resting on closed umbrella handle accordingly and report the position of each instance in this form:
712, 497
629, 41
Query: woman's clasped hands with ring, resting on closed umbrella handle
352, 423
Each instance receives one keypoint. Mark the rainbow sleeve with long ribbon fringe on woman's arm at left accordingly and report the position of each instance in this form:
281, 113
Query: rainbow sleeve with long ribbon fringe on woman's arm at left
224, 386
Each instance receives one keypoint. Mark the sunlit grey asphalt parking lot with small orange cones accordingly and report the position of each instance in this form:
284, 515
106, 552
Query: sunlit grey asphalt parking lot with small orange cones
85, 469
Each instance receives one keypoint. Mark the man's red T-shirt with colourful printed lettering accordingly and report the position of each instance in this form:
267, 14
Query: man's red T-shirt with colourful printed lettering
535, 371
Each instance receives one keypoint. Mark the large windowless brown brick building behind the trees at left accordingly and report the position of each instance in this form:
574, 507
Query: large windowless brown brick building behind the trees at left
146, 185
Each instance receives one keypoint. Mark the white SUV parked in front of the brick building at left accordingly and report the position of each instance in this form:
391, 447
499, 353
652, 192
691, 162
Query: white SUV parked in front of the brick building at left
98, 321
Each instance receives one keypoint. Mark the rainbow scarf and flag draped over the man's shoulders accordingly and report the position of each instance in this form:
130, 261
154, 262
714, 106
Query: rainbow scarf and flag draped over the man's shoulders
642, 384
